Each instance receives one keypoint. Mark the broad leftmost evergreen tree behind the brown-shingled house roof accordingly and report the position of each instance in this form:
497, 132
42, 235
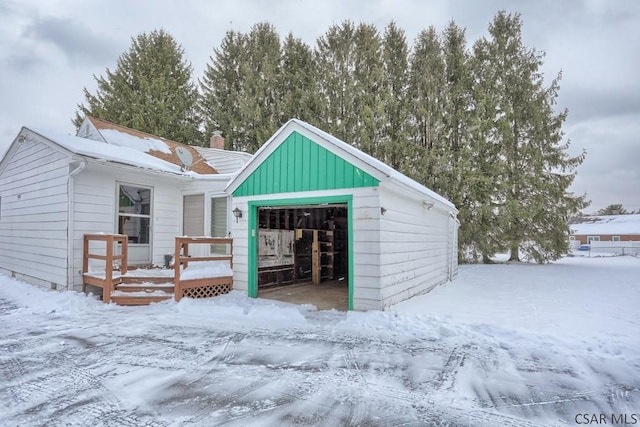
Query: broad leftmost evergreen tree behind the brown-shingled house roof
150, 90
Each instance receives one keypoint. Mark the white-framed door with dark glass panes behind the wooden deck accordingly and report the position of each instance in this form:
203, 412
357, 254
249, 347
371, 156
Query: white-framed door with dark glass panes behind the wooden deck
134, 220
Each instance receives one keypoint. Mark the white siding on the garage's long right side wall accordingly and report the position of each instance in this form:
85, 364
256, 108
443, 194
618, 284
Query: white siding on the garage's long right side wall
415, 252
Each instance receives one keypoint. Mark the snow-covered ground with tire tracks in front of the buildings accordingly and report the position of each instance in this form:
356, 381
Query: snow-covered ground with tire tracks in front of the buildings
515, 344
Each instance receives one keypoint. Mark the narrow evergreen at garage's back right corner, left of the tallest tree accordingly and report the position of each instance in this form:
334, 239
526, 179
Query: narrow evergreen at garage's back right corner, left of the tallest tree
465, 161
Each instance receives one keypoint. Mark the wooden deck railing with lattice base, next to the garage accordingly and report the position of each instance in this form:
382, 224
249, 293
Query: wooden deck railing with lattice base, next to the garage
201, 286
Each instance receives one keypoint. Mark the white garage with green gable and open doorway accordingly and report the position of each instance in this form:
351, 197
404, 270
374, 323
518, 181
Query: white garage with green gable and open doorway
311, 207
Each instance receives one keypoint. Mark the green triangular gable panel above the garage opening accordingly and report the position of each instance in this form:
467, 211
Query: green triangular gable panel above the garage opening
299, 164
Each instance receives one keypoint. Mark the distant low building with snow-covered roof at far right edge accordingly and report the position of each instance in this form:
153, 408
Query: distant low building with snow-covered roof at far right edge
606, 228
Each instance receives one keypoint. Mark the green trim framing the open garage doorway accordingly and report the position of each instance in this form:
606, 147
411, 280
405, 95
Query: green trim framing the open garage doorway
253, 234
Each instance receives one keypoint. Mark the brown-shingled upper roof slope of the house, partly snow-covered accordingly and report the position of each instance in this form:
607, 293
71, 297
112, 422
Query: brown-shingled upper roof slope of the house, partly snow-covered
152, 145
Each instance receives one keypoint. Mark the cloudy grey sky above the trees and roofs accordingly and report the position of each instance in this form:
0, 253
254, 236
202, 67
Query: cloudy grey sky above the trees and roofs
50, 50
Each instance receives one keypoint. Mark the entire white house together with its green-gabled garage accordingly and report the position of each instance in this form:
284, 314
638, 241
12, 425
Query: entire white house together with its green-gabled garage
307, 208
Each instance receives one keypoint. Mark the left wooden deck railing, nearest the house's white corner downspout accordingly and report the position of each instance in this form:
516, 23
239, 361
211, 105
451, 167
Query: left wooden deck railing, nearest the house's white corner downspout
108, 256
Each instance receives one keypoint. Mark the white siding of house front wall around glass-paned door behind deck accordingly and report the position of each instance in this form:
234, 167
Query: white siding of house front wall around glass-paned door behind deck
94, 201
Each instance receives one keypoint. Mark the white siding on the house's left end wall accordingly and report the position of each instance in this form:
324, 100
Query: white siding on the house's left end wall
33, 217
